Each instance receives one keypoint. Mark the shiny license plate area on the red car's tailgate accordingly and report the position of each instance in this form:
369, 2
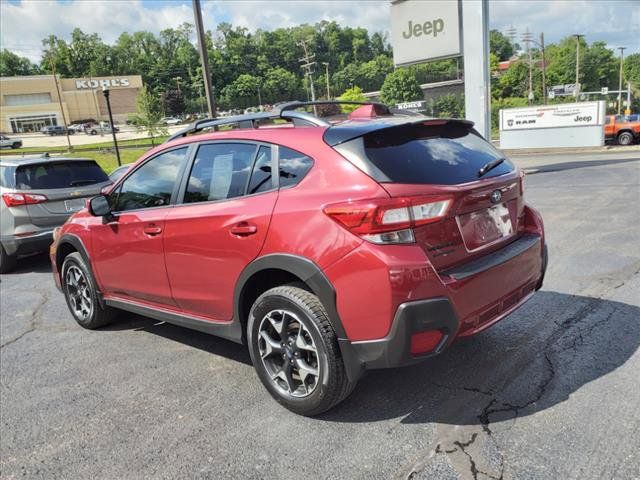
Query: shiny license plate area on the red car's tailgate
485, 226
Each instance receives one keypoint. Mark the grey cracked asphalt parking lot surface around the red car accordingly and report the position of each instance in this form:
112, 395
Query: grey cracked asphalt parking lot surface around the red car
551, 392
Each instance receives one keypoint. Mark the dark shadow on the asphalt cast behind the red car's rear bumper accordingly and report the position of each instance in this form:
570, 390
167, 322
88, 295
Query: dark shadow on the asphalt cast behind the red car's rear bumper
532, 360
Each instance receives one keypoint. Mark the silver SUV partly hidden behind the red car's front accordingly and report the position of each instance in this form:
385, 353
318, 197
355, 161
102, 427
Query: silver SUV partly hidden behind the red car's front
39, 194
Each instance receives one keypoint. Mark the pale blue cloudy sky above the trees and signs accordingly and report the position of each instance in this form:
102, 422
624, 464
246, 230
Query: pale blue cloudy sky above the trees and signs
24, 23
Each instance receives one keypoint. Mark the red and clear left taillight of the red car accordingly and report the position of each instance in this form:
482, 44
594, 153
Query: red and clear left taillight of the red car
388, 220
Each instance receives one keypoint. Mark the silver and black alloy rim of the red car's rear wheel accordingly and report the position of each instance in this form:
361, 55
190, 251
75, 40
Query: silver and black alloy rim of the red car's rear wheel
288, 353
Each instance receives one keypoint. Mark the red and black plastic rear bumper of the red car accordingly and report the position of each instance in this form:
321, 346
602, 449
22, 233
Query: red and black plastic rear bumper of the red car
443, 314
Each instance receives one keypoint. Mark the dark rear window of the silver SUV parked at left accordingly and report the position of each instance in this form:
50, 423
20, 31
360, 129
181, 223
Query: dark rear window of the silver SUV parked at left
53, 175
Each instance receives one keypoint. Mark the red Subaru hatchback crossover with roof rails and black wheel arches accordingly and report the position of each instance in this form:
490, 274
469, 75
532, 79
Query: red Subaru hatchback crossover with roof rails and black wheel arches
328, 248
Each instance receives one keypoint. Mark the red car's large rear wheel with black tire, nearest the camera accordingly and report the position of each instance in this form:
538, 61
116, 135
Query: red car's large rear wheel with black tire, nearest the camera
331, 384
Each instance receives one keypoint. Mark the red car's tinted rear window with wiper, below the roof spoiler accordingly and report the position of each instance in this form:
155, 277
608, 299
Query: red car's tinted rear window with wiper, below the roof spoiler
430, 154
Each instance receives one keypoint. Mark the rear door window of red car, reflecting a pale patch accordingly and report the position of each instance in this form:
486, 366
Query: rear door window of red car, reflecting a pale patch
220, 171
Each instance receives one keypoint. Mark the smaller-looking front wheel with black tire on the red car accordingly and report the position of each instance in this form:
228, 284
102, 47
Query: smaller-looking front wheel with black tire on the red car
96, 316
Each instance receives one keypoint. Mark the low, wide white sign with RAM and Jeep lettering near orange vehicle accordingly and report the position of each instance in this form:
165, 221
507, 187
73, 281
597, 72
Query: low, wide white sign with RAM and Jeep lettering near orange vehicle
551, 116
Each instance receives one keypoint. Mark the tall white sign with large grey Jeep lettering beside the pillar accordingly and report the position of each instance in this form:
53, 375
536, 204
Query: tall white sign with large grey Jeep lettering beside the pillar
422, 30
